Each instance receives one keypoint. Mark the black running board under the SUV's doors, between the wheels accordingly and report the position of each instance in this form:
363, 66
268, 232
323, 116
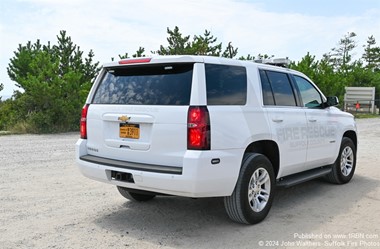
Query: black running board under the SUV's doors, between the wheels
288, 181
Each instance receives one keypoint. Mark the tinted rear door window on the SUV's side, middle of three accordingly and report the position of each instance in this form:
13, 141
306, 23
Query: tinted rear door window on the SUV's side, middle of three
282, 89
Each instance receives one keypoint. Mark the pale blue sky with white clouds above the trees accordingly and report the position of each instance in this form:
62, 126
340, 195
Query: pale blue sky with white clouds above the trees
282, 28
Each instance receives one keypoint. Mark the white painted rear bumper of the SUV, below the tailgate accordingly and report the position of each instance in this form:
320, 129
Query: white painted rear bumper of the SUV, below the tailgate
196, 177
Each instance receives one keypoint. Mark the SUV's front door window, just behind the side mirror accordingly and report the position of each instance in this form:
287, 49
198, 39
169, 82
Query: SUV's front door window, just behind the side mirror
310, 96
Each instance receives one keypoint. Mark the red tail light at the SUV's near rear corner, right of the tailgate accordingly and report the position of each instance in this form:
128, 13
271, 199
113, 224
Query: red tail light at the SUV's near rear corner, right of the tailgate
198, 128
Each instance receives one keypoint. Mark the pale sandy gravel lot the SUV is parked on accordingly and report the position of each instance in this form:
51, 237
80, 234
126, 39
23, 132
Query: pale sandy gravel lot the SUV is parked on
46, 203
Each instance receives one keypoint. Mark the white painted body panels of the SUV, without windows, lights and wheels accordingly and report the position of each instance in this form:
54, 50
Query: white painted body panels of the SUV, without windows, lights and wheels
306, 138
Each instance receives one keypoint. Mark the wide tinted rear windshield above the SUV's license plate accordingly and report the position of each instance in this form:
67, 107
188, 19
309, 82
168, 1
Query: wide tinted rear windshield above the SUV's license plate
146, 85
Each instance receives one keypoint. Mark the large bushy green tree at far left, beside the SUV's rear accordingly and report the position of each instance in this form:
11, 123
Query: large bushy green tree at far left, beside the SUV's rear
54, 82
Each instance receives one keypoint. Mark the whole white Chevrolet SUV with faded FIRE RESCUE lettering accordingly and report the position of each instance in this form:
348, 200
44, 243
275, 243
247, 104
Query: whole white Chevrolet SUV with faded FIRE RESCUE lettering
201, 126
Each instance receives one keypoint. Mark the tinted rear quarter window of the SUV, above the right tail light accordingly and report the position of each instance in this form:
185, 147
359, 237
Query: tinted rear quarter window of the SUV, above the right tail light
226, 85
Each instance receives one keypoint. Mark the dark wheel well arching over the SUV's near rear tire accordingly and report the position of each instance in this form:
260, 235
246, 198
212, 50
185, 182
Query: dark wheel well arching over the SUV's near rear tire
269, 149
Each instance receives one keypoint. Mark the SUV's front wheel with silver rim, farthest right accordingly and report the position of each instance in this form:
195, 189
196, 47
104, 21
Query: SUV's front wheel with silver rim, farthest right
344, 167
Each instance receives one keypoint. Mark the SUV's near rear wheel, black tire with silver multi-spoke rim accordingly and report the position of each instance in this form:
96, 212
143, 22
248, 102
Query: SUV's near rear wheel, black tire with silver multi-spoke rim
253, 194
